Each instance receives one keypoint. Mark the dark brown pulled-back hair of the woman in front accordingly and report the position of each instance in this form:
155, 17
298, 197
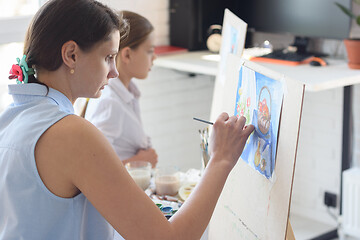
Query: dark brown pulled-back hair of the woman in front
86, 22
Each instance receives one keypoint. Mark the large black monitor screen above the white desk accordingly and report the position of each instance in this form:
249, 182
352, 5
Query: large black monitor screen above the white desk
305, 18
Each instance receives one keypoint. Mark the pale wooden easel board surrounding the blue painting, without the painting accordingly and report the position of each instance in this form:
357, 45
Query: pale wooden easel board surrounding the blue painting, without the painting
261, 194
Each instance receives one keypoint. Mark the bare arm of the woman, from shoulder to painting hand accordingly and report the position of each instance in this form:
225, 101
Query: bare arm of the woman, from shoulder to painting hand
74, 156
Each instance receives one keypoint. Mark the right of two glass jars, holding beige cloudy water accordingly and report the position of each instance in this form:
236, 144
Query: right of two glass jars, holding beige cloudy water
167, 180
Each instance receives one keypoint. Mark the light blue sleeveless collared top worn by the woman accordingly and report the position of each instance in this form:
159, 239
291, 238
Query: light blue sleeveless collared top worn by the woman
28, 210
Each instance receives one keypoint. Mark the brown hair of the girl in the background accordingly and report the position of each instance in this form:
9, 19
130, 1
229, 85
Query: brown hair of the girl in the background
140, 28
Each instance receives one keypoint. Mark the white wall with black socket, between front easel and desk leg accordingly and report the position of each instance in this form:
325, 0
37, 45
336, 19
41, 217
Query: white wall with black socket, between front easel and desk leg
318, 161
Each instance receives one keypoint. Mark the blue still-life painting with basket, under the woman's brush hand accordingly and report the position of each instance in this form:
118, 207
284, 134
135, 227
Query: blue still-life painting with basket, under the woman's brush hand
259, 98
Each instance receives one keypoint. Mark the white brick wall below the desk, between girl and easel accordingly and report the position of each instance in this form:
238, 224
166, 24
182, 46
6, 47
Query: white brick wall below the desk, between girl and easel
169, 101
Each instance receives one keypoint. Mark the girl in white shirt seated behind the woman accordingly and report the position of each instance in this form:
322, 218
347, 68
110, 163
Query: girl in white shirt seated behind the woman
116, 113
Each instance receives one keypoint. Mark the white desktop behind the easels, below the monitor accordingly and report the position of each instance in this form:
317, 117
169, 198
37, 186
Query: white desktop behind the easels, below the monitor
336, 74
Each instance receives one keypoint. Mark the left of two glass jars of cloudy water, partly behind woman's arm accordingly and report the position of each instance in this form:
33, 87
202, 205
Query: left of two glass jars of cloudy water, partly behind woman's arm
140, 171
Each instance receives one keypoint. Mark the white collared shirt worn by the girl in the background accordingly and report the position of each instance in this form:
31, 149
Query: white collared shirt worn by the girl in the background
117, 115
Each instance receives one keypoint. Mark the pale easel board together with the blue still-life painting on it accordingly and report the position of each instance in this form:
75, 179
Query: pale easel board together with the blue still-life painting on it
254, 203
